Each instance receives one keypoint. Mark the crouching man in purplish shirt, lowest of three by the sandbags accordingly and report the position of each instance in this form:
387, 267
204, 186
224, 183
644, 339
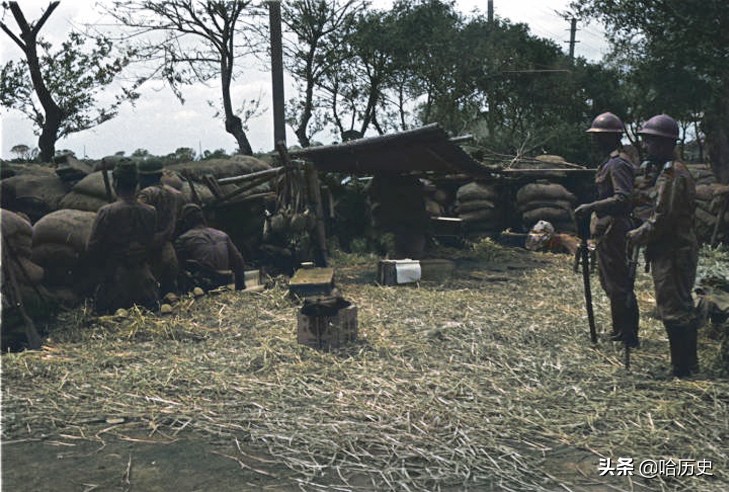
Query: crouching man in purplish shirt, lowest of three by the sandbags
208, 257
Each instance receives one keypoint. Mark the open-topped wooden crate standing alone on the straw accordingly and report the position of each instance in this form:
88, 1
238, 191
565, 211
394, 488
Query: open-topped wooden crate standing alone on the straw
328, 332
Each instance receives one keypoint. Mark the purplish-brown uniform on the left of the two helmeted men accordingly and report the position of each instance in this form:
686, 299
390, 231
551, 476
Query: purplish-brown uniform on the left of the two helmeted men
611, 222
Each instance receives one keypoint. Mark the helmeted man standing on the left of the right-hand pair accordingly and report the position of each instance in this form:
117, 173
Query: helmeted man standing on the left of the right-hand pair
611, 220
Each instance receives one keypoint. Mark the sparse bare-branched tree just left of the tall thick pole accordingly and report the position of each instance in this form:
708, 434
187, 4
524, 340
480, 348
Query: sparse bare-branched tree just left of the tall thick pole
201, 40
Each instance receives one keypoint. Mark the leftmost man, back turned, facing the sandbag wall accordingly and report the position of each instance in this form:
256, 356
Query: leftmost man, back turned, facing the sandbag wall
119, 247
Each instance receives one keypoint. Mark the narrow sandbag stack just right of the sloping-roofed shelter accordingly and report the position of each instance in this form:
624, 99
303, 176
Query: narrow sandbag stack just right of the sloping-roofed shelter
479, 206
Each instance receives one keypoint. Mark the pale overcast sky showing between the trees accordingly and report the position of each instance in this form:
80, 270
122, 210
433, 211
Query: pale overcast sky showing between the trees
160, 123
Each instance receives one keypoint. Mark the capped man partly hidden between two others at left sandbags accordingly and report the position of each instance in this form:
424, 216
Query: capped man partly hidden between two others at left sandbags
167, 202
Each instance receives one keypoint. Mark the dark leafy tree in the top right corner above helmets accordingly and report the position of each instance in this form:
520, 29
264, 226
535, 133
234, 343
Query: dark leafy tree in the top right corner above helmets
679, 52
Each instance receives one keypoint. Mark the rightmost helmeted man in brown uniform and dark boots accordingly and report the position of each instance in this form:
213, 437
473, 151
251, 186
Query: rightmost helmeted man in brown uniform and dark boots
670, 240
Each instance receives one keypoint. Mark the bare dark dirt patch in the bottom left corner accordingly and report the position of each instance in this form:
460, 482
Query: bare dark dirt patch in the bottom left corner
129, 459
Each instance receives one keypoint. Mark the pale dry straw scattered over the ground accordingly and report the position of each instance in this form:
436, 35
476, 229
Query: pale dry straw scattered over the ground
487, 381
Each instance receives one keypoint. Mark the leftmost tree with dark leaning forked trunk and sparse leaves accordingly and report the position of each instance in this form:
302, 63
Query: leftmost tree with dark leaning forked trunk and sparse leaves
58, 90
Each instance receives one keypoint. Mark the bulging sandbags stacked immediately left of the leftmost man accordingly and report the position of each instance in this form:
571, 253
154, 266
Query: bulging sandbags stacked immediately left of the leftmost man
59, 246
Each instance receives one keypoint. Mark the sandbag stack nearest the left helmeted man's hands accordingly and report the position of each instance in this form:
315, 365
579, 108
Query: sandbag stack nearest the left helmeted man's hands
551, 202
